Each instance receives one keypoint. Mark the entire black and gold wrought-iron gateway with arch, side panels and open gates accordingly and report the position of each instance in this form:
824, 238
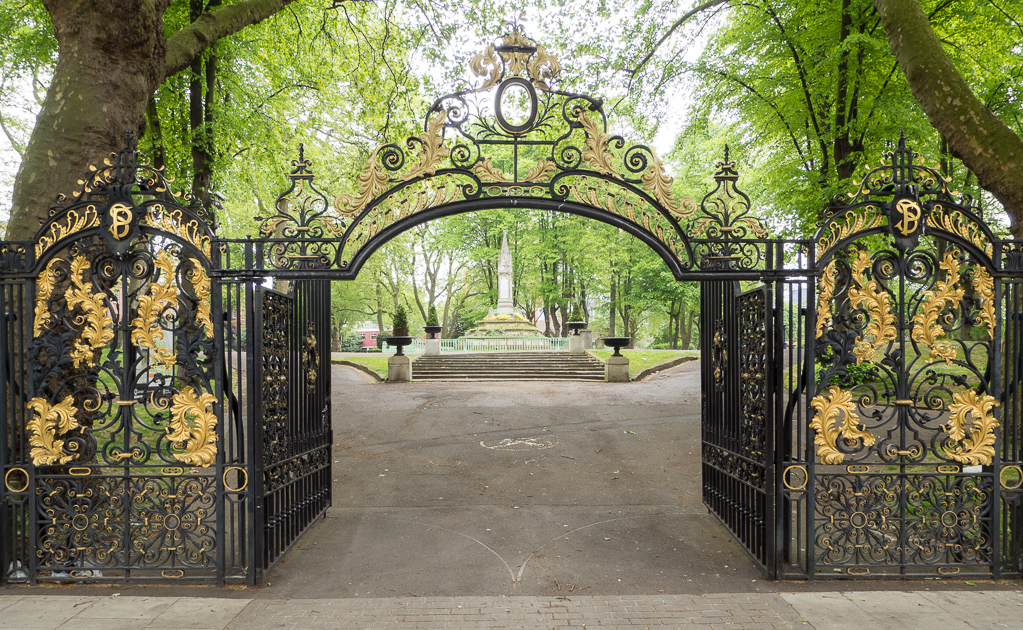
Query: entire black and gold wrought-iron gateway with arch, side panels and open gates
166, 417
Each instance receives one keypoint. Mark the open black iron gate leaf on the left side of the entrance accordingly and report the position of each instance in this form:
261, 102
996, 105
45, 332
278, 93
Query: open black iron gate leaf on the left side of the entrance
293, 438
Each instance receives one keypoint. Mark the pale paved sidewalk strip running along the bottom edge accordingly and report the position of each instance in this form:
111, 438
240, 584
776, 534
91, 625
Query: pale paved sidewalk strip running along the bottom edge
822, 611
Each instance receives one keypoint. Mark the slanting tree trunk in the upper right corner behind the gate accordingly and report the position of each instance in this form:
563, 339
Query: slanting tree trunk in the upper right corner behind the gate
986, 145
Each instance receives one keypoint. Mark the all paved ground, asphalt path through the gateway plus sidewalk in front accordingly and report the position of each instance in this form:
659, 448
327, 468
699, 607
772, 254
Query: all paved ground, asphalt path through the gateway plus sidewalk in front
519, 506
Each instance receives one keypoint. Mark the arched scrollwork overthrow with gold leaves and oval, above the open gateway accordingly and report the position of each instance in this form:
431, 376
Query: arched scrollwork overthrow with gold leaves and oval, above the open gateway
511, 139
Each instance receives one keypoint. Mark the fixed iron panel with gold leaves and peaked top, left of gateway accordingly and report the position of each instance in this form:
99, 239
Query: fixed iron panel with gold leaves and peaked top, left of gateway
123, 426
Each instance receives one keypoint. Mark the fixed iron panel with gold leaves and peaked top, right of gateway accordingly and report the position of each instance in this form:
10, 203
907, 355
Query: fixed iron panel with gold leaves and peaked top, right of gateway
906, 325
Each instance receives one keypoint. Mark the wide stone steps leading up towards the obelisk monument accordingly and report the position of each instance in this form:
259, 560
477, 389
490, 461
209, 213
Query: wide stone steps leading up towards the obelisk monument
508, 367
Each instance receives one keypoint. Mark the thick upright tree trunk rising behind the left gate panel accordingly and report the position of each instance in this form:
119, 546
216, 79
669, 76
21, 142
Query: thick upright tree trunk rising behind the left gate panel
108, 68
